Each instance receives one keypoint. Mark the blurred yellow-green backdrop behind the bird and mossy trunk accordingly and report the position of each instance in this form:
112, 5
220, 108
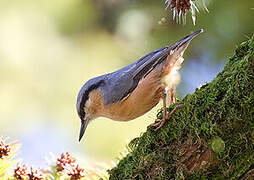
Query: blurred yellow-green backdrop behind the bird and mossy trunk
49, 48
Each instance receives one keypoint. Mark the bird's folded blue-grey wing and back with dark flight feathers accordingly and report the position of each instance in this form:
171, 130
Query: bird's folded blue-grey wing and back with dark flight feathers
121, 83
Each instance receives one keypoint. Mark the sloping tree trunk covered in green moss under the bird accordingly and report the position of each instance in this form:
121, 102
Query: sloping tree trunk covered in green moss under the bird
211, 137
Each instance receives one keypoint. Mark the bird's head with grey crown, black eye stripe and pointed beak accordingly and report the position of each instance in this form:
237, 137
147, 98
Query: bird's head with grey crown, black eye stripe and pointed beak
83, 104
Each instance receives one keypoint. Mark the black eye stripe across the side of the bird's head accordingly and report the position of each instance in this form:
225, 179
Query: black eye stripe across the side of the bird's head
85, 97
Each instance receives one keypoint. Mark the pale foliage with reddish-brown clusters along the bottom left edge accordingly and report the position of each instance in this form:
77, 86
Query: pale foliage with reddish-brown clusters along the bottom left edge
64, 167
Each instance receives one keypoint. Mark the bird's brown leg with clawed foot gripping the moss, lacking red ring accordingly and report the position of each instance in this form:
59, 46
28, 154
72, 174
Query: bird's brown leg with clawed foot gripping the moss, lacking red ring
160, 122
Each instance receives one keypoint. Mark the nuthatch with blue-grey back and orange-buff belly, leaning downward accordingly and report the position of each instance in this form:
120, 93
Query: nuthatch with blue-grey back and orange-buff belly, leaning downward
135, 89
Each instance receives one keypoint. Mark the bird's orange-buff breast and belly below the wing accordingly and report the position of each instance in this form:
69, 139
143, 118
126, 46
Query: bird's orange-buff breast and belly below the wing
144, 97
